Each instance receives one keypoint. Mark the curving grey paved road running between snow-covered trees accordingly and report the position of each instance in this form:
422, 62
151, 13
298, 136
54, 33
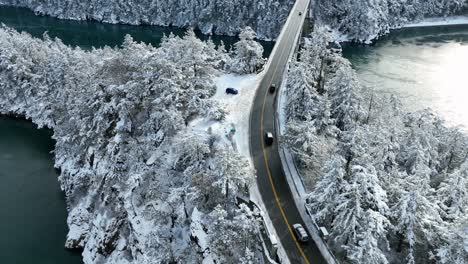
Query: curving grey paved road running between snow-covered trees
271, 179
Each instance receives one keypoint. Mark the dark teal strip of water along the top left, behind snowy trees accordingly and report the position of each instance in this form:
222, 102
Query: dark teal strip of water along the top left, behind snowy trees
87, 34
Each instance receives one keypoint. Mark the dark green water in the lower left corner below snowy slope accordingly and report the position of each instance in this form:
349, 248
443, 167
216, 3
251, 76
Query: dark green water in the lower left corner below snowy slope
33, 215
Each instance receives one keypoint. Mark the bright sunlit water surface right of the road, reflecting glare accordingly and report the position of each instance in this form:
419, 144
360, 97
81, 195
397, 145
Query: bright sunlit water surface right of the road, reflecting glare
425, 67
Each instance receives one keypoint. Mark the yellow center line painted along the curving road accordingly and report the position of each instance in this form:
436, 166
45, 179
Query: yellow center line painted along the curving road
283, 214
